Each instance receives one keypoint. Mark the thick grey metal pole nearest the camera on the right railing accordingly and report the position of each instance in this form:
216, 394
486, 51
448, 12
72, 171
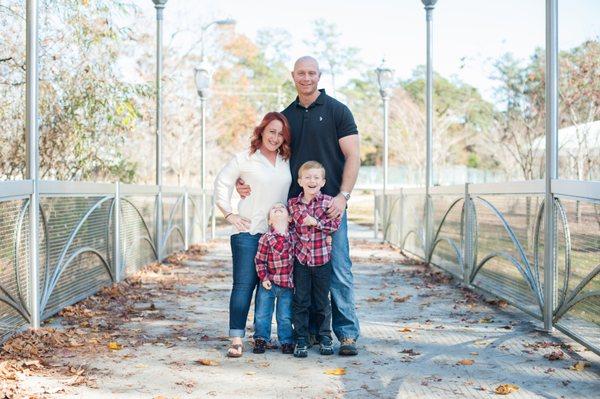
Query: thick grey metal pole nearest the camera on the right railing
551, 159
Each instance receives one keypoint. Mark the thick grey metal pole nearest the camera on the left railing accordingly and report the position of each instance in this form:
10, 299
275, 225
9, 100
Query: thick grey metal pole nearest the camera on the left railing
32, 142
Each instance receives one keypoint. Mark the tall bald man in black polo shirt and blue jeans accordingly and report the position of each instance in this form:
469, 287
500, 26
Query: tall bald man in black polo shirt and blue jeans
323, 130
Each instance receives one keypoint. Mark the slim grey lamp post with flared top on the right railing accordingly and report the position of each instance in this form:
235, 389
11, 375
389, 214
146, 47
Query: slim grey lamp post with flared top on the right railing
429, 6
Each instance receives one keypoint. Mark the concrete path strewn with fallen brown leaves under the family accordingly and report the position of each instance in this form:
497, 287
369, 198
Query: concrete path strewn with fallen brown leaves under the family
422, 337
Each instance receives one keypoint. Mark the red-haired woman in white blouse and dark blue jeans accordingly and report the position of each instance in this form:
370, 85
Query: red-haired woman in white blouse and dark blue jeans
266, 168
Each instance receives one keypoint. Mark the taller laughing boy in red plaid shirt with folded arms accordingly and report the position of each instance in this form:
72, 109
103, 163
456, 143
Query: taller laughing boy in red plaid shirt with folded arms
312, 267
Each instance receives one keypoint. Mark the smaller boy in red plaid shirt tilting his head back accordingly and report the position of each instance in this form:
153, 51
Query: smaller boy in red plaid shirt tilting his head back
274, 265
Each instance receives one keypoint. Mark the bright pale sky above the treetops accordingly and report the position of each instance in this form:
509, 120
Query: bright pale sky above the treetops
468, 34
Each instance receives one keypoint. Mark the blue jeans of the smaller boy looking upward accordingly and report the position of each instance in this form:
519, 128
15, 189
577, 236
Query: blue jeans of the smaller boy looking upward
263, 313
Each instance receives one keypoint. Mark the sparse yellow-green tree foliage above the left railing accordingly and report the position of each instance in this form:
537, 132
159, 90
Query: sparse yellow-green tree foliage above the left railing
86, 111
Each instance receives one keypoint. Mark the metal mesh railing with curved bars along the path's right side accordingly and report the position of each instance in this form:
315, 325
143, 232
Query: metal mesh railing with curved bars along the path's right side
491, 237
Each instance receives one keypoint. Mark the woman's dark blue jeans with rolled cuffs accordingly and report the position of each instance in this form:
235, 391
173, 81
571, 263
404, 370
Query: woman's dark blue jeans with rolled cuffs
243, 251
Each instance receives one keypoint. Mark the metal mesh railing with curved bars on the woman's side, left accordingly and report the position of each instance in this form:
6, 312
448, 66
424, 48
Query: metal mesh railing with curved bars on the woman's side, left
90, 235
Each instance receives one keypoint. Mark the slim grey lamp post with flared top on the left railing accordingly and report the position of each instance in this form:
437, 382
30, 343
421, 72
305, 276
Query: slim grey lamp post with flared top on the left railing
159, 5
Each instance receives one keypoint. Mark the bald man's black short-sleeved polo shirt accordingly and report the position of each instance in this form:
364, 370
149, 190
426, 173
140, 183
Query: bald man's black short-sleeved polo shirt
315, 134
